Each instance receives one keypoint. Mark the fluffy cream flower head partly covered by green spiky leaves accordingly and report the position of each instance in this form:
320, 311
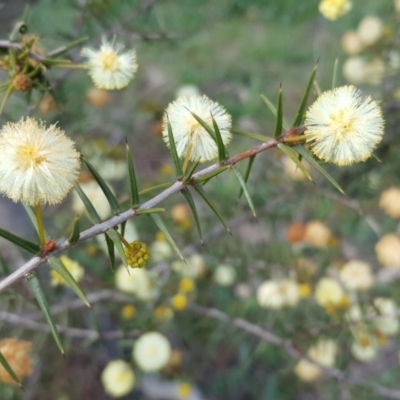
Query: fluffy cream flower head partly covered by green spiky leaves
191, 139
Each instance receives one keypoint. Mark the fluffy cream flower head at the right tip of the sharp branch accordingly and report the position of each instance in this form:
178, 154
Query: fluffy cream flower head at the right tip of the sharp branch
343, 126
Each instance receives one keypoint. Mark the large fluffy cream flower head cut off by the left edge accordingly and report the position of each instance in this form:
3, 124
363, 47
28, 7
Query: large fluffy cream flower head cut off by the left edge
38, 165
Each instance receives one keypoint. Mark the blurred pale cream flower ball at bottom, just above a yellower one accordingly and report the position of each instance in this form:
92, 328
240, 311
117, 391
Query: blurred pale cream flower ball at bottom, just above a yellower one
152, 351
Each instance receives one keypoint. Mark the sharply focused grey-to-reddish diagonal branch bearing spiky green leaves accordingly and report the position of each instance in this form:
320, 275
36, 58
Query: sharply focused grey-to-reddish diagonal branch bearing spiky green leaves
62, 245
